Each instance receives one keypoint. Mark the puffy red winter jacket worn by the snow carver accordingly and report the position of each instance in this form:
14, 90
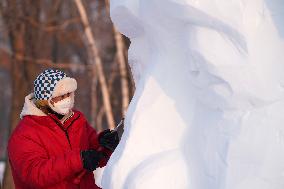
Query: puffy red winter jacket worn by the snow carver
44, 155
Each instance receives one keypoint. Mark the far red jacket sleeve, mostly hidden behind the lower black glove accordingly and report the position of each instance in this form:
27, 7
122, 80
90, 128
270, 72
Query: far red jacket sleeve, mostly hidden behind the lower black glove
94, 144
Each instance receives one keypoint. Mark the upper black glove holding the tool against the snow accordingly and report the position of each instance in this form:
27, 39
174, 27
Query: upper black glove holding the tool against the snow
109, 139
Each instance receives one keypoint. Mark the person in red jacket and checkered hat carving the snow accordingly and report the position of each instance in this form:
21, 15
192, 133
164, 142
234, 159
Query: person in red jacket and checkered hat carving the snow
53, 145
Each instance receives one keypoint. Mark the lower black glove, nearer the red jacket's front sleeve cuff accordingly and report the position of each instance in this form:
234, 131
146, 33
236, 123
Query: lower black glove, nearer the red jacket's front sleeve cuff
90, 159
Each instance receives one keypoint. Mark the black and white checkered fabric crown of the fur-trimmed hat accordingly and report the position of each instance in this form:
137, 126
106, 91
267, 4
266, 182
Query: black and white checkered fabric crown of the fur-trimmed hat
46, 82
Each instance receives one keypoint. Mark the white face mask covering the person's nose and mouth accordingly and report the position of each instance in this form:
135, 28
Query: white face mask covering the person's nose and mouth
64, 106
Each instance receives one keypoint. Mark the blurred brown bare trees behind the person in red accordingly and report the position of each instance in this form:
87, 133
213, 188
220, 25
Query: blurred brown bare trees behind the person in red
75, 36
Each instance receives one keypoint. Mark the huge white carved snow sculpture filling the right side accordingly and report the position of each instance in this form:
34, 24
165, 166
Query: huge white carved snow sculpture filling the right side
208, 111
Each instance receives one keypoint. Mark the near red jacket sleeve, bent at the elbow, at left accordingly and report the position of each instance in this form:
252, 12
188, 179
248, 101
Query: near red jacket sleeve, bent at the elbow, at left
33, 166
